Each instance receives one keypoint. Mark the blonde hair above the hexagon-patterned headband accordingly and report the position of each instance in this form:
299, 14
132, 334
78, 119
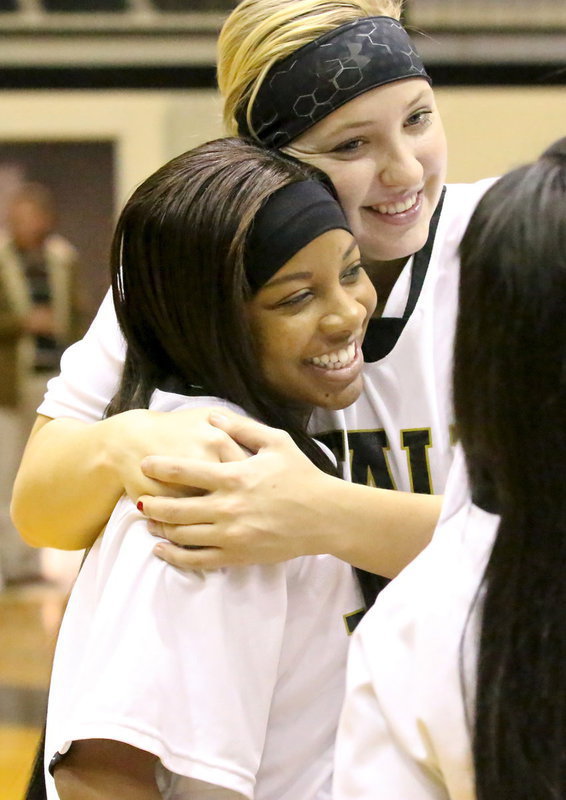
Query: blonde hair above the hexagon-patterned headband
258, 33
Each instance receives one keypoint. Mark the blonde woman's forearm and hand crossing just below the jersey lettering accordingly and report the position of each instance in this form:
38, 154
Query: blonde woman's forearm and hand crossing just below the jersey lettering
277, 505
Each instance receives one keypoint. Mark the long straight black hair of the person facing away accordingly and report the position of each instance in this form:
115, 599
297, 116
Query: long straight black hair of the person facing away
510, 405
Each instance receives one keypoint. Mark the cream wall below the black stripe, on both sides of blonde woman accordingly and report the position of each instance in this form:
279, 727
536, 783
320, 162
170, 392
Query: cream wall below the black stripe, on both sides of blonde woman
489, 129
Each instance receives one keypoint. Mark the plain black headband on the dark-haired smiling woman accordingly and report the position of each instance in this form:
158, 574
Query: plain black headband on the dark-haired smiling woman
291, 218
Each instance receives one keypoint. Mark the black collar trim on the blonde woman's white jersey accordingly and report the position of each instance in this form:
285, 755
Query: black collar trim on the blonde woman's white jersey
383, 333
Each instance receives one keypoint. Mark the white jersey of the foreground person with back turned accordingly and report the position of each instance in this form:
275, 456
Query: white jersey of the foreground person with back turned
403, 733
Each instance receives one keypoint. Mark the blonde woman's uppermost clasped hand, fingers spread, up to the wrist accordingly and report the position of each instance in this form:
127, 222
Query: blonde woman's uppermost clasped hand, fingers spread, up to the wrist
265, 509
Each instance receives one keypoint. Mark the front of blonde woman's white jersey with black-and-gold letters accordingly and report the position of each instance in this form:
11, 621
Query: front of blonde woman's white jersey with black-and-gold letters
399, 434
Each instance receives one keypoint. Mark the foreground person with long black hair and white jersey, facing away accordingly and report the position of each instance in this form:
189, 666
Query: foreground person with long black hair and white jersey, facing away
456, 680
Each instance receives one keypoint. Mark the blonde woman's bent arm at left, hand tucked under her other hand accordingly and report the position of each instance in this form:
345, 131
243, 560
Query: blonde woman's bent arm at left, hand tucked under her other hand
73, 472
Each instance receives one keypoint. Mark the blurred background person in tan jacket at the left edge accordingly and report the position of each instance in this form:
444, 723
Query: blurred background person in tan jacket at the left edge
39, 316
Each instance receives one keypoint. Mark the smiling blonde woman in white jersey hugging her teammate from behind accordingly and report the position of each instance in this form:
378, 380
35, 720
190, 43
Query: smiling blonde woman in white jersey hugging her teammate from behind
372, 125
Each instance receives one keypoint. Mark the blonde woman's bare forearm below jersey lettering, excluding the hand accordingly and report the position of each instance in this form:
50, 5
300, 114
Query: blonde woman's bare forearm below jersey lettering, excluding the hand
378, 530
